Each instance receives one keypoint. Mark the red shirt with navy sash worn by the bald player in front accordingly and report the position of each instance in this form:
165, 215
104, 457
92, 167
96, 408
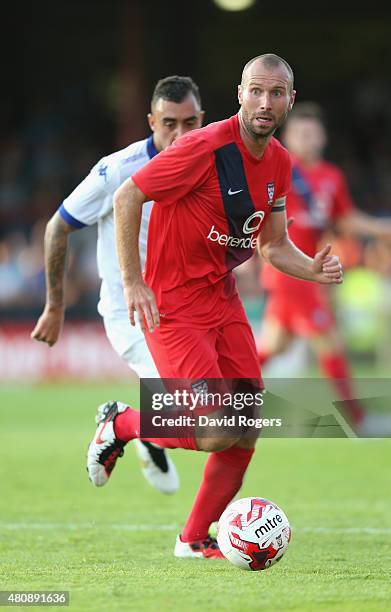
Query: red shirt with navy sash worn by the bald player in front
212, 198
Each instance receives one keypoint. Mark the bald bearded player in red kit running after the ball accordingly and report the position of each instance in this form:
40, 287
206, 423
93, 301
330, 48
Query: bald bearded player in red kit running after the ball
218, 193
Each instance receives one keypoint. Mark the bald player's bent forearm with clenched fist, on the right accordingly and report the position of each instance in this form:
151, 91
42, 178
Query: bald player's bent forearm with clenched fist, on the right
277, 249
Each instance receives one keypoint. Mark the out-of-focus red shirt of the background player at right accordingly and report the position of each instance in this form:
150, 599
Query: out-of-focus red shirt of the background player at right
319, 195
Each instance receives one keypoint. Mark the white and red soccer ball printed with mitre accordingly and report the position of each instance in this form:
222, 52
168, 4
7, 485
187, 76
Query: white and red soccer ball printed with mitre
253, 533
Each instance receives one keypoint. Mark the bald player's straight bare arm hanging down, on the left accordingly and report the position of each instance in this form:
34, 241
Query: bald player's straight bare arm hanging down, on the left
128, 202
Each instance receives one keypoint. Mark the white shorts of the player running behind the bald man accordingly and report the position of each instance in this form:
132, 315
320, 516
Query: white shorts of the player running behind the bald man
129, 342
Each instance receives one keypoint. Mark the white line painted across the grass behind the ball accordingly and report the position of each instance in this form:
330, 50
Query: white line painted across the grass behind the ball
172, 527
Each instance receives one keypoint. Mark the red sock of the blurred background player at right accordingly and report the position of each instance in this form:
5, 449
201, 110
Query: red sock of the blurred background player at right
336, 367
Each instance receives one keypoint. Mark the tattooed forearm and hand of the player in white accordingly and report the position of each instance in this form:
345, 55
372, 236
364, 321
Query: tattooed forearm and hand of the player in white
49, 324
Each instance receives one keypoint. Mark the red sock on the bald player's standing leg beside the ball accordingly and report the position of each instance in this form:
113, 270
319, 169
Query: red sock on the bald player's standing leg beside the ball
222, 479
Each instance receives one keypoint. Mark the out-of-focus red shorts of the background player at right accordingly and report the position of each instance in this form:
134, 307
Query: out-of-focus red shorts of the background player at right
304, 310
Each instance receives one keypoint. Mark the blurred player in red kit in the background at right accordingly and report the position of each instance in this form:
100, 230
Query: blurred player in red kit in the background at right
319, 200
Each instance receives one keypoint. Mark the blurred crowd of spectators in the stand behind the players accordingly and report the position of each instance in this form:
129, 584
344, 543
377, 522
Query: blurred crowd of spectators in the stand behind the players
51, 146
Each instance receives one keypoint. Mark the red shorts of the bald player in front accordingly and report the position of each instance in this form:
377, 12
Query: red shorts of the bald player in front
208, 360
